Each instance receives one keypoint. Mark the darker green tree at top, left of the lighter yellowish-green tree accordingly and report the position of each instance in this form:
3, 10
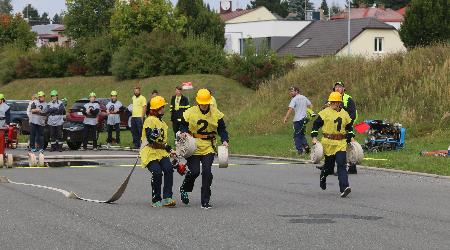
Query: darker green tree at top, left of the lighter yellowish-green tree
87, 18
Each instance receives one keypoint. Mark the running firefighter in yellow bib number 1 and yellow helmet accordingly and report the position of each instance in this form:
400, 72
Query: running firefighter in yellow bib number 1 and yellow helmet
337, 131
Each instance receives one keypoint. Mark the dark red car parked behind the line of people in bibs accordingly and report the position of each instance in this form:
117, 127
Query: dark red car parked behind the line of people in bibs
75, 114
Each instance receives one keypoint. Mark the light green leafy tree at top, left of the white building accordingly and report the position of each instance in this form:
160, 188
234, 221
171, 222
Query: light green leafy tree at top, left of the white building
133, 17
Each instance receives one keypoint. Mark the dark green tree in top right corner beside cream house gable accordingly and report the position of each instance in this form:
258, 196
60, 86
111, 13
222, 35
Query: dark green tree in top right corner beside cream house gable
426, 22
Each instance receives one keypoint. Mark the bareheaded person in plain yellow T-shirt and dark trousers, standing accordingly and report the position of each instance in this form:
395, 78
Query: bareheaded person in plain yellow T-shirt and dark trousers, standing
137, 116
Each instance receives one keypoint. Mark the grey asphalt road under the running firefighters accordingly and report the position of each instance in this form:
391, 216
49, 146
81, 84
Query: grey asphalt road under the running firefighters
257, 205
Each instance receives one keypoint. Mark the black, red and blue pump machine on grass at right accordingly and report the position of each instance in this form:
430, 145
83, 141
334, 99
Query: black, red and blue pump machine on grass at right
383, 136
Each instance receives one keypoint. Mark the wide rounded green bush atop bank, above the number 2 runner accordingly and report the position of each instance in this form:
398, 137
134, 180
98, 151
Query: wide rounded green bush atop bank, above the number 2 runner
161, 53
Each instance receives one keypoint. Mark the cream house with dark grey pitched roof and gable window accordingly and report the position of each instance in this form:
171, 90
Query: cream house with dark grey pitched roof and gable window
369, 38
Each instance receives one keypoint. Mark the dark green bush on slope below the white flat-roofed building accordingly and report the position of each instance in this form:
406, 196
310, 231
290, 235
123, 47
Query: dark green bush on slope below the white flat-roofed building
257, 65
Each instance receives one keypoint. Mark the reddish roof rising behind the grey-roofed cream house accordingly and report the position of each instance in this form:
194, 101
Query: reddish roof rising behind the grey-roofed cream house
384, 15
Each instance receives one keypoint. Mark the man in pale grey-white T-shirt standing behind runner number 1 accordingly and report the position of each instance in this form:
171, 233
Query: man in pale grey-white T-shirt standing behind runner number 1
299, 105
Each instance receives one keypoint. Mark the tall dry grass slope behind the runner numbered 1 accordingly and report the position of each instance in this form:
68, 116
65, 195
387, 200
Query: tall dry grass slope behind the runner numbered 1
412, 89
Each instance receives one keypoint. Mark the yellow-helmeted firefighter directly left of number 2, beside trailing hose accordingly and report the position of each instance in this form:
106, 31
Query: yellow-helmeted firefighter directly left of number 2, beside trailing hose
155, 153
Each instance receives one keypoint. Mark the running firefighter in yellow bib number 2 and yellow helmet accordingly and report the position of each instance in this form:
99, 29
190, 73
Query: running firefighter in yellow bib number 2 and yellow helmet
204, 122
